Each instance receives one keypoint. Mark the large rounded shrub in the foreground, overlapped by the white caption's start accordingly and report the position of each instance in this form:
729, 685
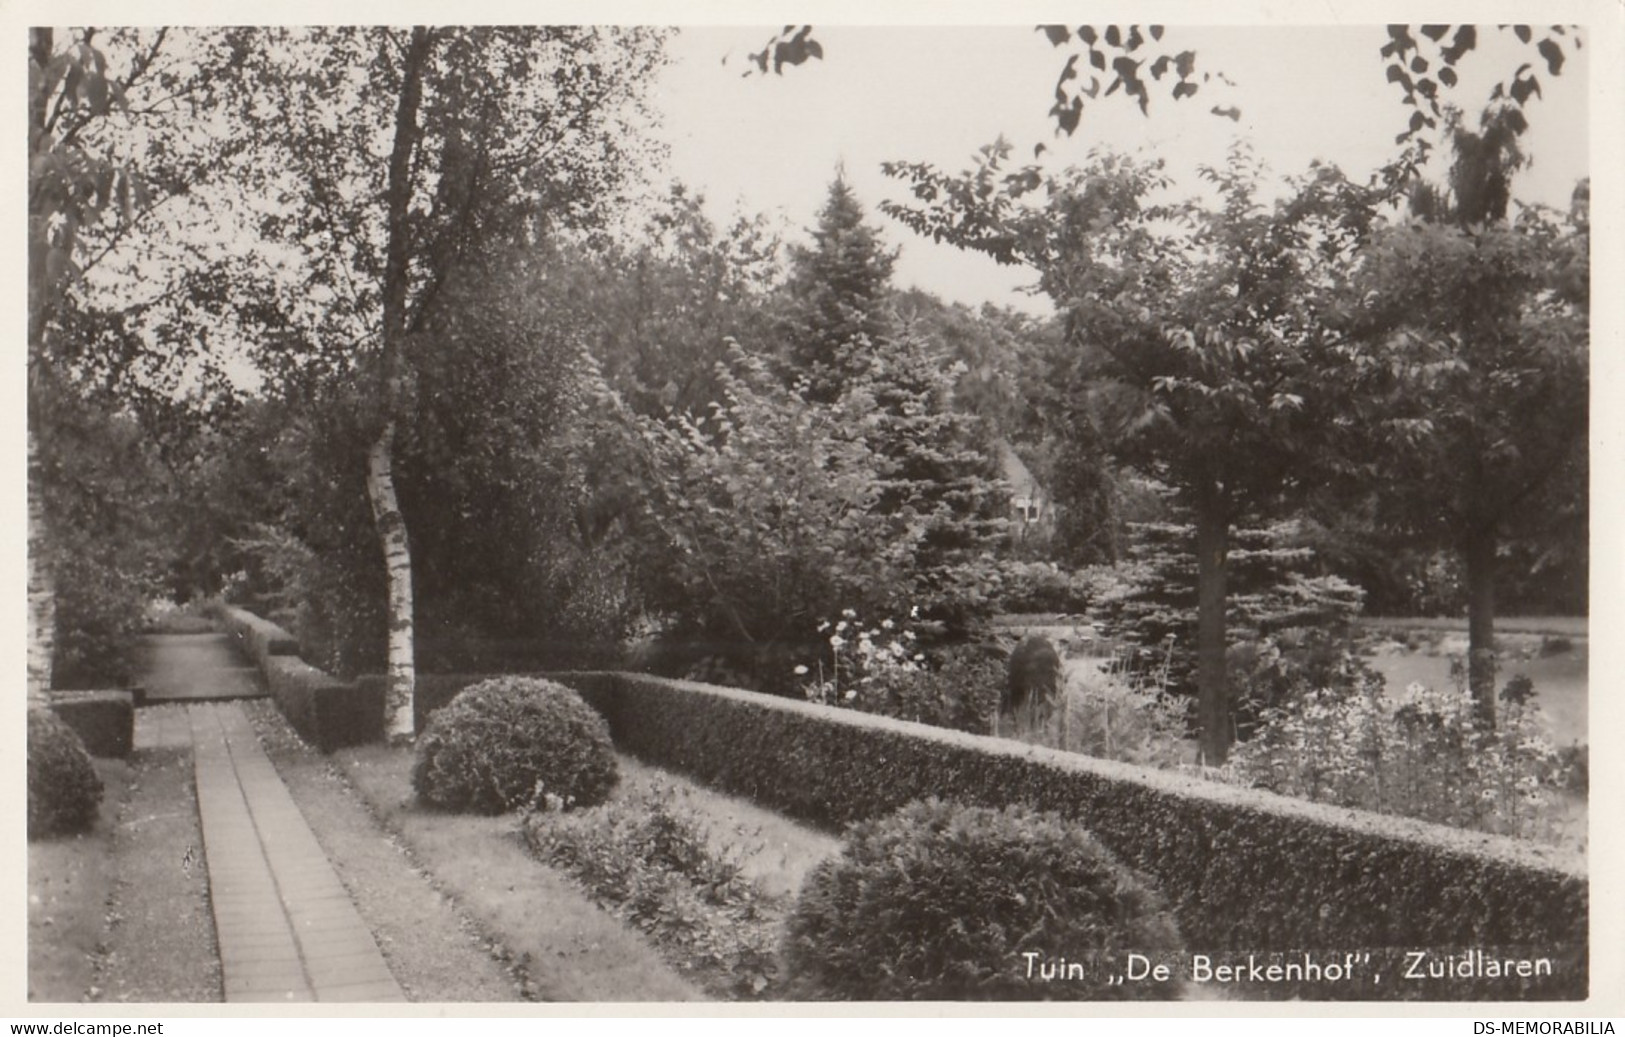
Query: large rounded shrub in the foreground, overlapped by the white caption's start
958, 903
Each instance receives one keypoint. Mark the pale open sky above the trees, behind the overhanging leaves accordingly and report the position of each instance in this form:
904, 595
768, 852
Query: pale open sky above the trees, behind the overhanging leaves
938, 93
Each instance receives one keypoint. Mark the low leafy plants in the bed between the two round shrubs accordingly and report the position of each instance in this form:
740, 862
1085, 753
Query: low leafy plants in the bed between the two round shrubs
648, 857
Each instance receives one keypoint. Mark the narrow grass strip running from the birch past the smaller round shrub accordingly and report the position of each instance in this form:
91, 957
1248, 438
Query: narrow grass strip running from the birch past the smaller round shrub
566, 947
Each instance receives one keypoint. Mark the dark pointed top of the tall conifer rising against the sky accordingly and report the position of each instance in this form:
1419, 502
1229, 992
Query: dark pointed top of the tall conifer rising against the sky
838, 297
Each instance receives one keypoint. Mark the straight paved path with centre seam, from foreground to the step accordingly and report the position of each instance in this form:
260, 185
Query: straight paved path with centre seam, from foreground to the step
285, 926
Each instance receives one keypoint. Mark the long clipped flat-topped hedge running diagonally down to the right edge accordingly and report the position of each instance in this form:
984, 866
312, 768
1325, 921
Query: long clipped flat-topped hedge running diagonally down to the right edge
1246, 872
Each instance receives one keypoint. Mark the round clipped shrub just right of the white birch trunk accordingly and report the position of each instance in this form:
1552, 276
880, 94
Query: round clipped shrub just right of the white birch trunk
505, 742
